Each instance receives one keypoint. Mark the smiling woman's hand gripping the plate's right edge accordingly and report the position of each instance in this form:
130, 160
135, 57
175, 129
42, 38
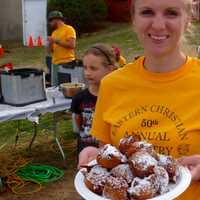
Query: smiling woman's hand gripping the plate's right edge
193, 163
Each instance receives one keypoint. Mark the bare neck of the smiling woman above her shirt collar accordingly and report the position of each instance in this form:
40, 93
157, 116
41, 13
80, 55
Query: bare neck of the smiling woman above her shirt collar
165, 63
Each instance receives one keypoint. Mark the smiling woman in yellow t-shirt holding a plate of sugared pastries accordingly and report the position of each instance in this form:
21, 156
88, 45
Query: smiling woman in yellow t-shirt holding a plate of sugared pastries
157, 96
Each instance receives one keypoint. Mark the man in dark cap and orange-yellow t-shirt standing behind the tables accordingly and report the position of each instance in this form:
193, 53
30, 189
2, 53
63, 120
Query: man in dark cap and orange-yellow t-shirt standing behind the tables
62, 44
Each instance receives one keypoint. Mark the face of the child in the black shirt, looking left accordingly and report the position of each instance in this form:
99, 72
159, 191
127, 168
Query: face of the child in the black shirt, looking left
94, 69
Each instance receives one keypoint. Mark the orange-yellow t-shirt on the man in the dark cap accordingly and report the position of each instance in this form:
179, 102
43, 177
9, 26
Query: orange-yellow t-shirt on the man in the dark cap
60, 54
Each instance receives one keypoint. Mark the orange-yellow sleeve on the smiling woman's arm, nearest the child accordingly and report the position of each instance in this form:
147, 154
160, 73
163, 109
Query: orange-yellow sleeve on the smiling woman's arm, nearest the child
100, 128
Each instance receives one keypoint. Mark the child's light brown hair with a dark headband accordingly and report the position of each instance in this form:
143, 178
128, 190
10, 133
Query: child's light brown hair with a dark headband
105, 51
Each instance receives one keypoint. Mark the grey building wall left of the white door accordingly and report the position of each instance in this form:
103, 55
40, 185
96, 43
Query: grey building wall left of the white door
11, 27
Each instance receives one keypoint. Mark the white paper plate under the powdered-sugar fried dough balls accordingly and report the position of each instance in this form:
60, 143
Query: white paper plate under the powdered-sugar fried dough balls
175, 190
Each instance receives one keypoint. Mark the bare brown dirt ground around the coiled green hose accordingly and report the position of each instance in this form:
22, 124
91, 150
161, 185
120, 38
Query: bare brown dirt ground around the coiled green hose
46, 153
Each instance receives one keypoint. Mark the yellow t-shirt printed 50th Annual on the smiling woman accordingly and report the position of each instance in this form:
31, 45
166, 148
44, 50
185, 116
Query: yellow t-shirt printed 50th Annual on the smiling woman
163, 108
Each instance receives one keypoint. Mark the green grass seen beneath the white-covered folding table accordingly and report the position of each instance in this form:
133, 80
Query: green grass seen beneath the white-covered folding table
25, 128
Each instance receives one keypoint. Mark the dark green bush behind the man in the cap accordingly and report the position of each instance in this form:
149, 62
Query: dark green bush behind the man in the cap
83, 15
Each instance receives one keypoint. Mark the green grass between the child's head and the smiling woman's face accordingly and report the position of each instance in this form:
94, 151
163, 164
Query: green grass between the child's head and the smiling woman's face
118, 34
